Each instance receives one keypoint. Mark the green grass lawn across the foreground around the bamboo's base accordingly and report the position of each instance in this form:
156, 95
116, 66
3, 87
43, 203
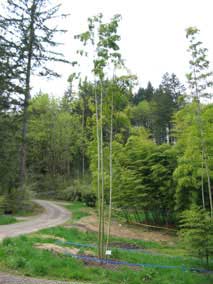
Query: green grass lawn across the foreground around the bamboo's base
21, 255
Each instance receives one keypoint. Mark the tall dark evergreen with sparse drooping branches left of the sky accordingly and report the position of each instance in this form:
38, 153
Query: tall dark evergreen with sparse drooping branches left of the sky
29, 36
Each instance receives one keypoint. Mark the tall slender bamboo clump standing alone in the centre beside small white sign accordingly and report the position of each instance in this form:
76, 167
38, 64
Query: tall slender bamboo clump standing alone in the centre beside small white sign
103, 38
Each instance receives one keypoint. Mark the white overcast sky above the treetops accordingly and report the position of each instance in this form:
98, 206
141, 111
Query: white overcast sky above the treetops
152, 35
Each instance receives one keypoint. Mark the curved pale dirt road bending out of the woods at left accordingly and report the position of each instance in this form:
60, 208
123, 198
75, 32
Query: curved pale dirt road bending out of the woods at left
52, 216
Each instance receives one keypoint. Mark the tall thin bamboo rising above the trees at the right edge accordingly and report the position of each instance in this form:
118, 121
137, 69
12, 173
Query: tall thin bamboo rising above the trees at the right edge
200, 81
